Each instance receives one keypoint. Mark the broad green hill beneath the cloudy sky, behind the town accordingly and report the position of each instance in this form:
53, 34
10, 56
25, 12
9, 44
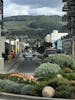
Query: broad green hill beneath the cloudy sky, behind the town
33, 26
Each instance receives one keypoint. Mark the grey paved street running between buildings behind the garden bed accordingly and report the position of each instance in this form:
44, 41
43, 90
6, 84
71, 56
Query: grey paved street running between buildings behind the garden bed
23, 65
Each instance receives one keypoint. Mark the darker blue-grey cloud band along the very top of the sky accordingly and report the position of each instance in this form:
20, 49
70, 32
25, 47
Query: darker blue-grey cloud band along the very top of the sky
39, 3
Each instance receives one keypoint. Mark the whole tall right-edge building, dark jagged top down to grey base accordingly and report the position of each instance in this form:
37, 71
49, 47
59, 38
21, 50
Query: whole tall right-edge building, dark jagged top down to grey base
69, 41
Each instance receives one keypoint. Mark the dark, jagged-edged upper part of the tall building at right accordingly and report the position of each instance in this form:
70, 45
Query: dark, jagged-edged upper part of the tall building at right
69, 8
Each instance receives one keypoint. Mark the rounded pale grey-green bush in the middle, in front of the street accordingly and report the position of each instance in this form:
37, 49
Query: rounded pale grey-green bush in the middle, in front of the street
47, 69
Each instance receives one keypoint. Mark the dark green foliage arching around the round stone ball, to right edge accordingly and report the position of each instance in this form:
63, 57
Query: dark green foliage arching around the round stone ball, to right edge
63, 88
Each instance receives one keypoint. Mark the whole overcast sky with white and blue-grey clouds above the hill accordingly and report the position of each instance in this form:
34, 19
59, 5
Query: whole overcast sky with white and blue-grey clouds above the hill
32, 7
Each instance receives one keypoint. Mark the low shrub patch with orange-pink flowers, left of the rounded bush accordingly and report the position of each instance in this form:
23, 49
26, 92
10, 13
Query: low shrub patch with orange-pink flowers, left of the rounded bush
22, 78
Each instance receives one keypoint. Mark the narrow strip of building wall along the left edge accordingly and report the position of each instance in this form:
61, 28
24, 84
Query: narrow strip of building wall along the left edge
2, 39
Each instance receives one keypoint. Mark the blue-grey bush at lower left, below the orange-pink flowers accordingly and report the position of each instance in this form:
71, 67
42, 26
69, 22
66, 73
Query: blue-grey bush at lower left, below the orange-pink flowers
10, 86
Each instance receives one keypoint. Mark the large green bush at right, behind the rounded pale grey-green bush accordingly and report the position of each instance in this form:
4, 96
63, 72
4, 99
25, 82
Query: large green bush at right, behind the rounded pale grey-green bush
62, 60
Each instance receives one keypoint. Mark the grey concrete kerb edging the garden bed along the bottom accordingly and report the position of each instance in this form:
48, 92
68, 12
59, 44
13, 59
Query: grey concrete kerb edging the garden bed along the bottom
9, 96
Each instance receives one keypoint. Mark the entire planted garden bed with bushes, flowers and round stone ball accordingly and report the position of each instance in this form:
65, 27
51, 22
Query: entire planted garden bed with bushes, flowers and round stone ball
54, 78
